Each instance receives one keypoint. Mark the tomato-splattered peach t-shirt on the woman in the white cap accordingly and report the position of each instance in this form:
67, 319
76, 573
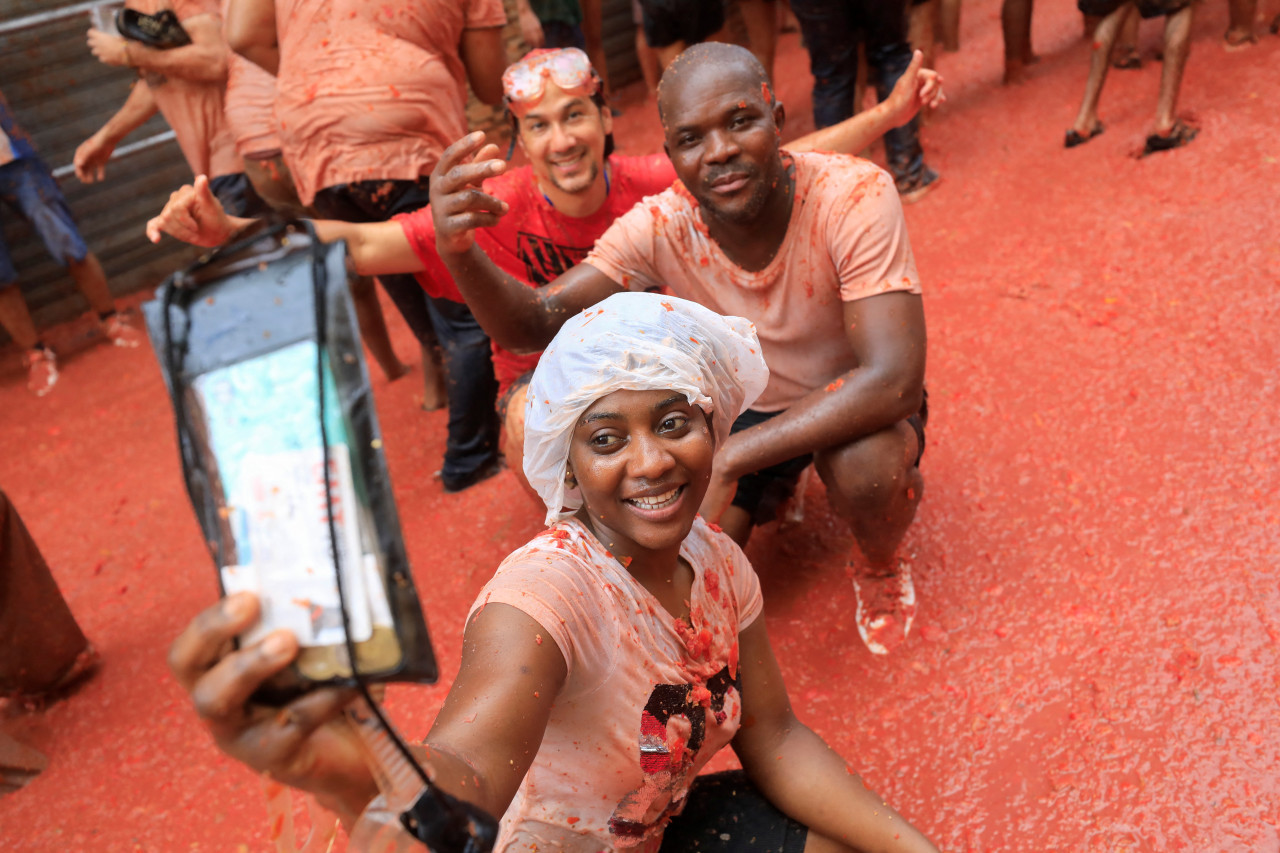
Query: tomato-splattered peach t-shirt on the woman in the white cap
648, 700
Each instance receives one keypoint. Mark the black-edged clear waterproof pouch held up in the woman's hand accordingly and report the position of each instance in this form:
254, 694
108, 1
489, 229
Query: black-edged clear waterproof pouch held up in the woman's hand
284, 460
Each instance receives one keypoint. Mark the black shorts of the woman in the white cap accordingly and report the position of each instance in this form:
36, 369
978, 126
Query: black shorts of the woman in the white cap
726, 814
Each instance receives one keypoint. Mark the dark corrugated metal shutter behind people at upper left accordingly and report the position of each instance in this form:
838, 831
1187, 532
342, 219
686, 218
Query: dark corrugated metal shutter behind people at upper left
62, 95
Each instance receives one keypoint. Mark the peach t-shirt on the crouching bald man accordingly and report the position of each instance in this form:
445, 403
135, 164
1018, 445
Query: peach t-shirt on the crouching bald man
847, 240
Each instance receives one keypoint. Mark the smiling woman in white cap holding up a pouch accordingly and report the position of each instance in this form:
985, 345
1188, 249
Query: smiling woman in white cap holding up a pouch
612, 656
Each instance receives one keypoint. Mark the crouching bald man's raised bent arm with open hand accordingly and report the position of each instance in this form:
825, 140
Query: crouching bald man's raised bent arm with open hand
519, 318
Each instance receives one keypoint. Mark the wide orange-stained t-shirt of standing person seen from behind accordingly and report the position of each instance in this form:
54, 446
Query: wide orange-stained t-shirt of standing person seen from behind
372, 92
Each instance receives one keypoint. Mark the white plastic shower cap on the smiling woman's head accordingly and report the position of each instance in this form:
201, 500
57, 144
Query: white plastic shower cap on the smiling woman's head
634, 343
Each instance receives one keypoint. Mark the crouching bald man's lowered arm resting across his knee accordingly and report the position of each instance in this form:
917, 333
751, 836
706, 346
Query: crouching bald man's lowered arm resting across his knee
889, 340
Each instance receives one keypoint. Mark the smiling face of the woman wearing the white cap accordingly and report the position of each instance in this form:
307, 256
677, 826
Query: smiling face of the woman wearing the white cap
643, 460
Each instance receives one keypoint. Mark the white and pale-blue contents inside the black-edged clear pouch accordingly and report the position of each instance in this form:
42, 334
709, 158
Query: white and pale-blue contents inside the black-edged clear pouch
262, 418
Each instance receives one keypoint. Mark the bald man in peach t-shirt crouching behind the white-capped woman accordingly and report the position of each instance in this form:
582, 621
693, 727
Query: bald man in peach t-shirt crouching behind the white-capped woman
812, 249
